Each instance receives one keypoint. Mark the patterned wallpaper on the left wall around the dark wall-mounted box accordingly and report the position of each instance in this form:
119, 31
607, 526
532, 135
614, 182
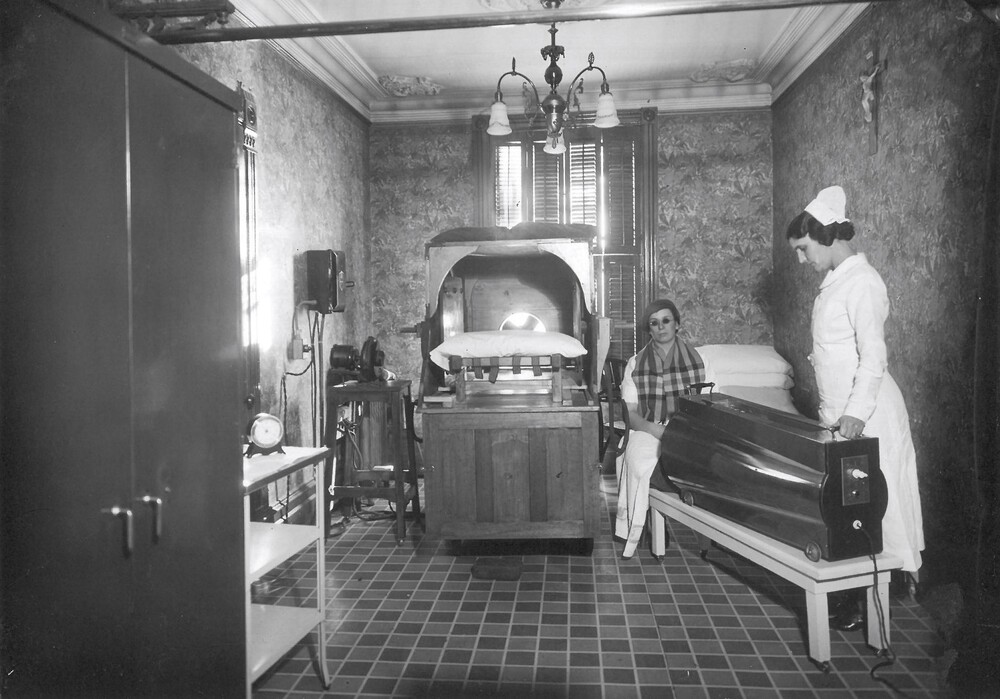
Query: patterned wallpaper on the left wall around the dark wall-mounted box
312, 191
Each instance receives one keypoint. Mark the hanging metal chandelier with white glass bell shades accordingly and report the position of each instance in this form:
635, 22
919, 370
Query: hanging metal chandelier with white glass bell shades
554, 108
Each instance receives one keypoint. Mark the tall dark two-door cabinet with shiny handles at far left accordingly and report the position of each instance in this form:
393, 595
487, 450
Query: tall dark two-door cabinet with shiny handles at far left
122, 548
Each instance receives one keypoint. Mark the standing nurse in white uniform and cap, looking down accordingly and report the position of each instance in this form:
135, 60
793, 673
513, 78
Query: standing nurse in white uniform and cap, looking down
856, 393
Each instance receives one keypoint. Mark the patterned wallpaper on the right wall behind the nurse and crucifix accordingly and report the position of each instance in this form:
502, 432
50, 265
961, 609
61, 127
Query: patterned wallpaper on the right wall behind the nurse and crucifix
917, 205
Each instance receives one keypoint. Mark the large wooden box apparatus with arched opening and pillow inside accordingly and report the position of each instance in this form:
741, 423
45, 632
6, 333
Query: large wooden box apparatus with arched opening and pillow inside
510, 432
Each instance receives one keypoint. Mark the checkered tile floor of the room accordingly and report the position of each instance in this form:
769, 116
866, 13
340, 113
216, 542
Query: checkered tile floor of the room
412, 621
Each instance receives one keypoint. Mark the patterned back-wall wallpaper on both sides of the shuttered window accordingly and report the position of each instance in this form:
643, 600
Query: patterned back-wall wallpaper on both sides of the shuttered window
713, 246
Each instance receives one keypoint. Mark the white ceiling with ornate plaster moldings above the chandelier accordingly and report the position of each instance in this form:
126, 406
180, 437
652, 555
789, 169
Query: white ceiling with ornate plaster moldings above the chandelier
678, 62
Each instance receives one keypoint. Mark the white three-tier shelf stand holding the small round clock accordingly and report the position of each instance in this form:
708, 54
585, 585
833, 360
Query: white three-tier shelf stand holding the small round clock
273, 630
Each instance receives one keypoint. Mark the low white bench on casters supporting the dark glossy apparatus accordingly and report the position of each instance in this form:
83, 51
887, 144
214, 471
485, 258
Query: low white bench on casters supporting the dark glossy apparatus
816, 578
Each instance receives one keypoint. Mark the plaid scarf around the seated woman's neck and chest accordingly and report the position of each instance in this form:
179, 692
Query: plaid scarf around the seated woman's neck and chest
660, 379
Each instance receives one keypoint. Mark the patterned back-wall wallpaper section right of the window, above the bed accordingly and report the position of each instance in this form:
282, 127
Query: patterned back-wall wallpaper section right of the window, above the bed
713, 244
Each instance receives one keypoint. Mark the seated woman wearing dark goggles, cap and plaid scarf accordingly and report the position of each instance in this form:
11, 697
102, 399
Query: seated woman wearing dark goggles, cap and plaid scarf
652, 382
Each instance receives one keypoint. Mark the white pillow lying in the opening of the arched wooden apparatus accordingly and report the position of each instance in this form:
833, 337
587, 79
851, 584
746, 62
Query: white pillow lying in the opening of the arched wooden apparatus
506, 343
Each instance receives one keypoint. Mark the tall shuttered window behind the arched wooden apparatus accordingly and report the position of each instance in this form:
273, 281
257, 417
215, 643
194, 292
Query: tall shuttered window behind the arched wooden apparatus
606, 178
